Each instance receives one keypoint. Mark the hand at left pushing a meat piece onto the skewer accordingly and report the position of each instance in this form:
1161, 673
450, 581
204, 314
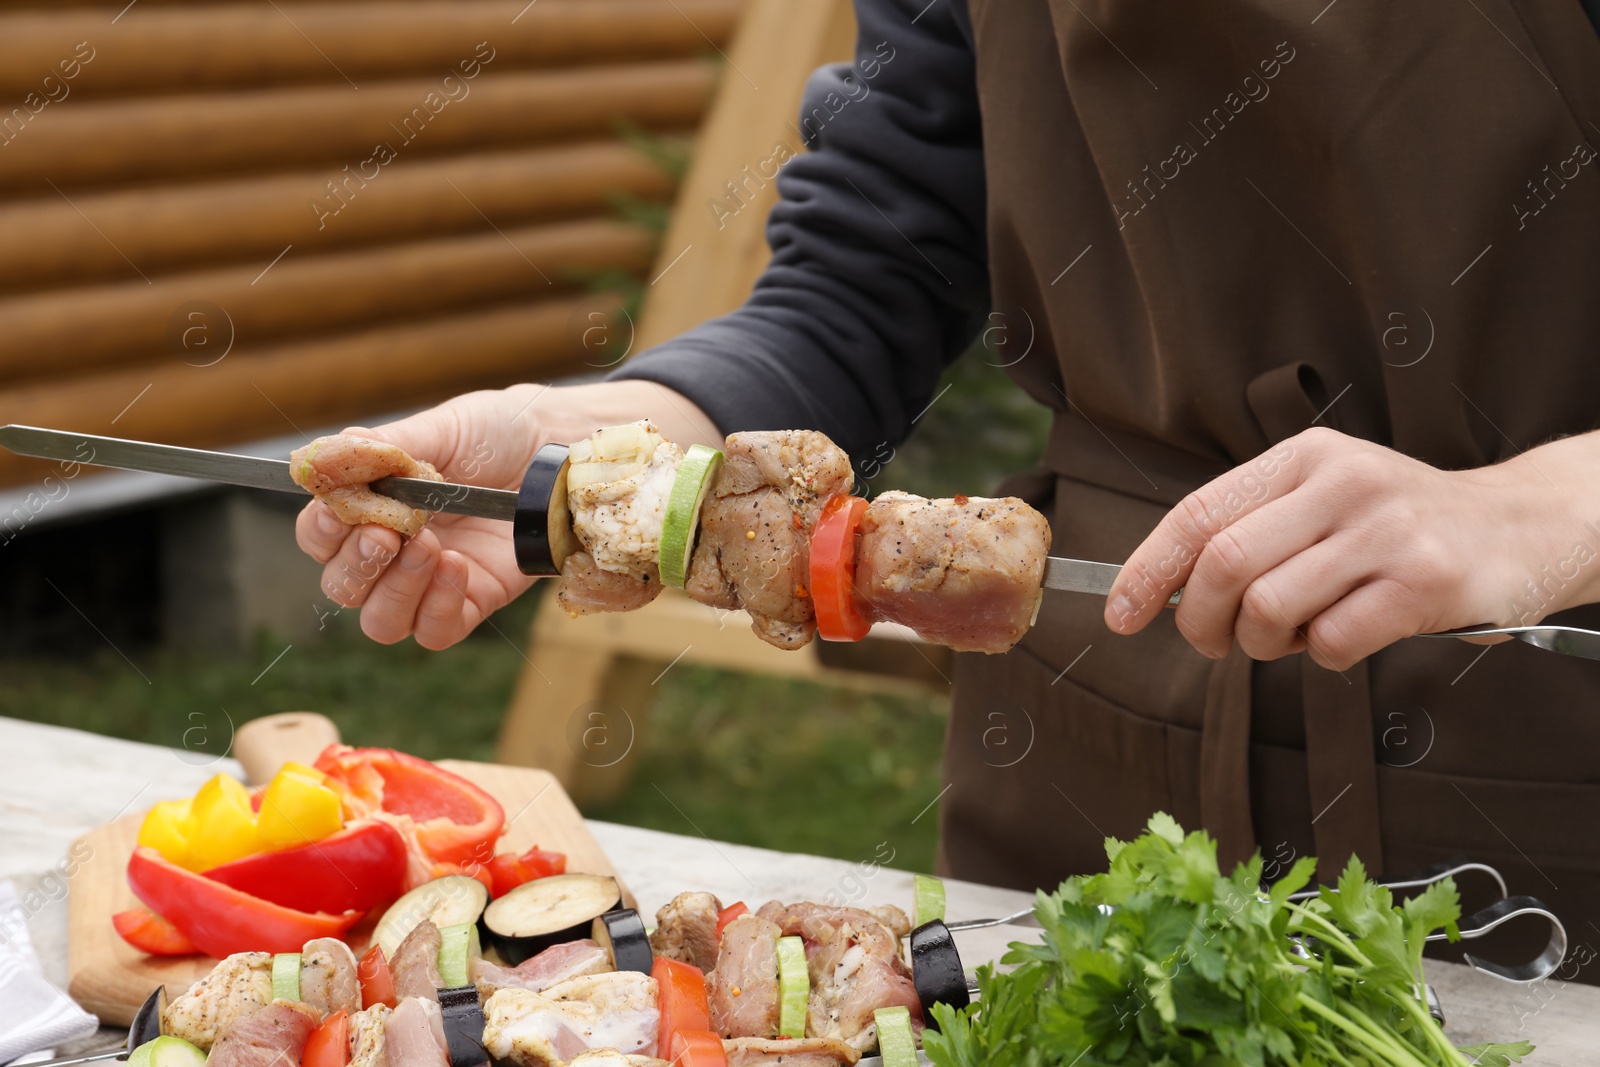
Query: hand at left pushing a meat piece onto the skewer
460, 570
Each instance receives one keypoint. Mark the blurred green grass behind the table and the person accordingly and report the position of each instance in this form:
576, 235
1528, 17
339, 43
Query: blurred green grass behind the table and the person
740, 759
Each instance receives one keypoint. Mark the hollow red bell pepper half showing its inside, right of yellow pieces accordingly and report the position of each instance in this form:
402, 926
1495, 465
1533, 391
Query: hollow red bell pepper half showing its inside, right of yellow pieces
457, 823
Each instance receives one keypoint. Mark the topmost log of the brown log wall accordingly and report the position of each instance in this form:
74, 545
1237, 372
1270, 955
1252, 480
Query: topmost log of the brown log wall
188, 47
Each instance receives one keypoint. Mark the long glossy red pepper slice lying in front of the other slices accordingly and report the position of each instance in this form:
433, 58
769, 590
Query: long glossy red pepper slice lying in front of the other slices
223, 921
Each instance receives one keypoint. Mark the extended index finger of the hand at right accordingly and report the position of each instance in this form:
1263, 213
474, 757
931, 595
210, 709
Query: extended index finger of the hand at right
1162, 564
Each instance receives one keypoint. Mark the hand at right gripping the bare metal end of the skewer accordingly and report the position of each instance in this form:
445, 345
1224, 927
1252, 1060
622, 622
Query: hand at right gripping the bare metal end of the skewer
1338, 546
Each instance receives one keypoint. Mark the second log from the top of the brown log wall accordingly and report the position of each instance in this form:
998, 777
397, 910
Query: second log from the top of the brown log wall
185, 138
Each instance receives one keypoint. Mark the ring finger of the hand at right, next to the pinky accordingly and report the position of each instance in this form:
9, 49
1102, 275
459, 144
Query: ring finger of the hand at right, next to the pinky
1276, 607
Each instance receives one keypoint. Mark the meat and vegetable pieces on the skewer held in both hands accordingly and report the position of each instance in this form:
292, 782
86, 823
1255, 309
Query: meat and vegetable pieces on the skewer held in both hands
766, 526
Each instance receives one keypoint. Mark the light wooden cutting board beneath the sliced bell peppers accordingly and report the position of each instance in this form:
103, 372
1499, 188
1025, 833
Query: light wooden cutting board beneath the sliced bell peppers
111, 978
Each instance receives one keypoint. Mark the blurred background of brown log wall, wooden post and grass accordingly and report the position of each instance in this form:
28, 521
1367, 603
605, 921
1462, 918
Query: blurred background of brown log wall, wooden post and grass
244, 225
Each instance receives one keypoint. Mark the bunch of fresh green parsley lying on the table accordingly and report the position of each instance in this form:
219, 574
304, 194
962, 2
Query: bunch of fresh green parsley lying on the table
1164, 961
